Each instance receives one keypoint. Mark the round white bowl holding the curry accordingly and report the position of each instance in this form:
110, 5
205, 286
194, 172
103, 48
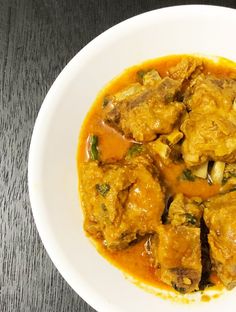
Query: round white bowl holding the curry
53, 181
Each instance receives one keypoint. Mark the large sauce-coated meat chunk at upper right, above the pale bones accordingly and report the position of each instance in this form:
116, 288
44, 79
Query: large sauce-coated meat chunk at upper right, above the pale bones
210, 127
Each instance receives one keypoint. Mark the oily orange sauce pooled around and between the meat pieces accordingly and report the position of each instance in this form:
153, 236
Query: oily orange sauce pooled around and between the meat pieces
112, 145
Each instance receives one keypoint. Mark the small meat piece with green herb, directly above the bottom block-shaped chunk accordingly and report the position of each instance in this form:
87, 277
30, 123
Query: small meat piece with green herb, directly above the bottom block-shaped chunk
185, 211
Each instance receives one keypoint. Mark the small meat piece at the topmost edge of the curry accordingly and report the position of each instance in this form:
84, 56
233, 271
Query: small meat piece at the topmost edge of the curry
185, 68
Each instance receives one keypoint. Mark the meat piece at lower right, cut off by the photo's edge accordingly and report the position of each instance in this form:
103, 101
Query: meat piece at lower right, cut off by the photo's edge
219, 216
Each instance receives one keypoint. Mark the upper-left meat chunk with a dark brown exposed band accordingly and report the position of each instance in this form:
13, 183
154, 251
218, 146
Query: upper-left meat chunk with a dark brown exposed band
141, 112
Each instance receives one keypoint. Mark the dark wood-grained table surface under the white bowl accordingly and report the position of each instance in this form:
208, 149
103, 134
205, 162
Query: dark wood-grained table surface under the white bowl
37, 39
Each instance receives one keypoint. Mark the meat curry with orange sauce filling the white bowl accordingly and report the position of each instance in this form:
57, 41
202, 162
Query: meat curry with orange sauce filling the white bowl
157, 171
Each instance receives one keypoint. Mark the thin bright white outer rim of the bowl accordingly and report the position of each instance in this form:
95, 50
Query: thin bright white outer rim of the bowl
83, 290
